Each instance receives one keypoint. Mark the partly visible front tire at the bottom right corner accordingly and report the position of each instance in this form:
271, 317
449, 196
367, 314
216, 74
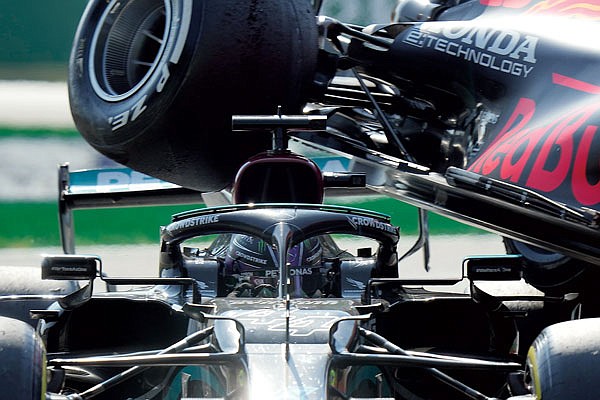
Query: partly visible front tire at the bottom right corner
563, 362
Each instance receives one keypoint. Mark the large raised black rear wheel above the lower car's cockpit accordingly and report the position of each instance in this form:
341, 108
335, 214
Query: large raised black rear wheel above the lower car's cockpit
205, 60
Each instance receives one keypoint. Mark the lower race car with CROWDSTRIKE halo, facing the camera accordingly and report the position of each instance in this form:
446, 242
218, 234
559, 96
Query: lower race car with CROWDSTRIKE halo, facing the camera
288, 299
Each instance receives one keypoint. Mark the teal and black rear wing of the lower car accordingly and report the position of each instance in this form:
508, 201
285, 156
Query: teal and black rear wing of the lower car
124, 187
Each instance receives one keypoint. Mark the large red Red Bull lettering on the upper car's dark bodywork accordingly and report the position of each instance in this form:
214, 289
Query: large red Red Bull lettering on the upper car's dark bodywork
556, 155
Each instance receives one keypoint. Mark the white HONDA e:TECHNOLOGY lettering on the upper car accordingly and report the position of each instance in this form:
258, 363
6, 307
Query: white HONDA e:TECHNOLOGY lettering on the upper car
506, 51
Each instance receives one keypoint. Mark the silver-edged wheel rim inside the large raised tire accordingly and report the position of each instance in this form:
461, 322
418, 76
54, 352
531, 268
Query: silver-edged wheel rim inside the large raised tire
127, 46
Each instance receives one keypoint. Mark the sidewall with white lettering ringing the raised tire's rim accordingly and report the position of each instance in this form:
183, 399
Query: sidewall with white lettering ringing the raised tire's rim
127, 116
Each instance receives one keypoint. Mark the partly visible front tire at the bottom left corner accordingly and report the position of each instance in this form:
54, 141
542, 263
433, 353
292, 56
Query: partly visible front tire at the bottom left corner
22, 361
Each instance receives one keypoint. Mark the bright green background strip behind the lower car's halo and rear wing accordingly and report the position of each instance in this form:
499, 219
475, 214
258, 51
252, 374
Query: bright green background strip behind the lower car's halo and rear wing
36, 224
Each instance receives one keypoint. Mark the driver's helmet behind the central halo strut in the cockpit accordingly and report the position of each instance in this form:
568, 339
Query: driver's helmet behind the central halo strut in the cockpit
254, 262
